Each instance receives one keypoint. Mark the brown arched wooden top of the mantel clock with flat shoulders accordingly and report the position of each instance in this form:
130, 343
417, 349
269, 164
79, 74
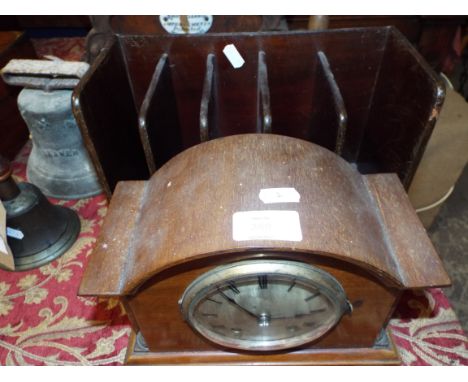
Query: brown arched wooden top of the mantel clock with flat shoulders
187, 208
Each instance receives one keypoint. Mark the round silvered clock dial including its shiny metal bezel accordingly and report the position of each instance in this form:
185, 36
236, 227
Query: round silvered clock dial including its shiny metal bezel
263, 304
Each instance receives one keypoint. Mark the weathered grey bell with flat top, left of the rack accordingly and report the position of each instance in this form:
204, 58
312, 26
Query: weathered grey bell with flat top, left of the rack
59, 163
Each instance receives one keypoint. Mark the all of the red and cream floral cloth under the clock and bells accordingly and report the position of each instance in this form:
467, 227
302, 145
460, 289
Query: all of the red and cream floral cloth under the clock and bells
44, 322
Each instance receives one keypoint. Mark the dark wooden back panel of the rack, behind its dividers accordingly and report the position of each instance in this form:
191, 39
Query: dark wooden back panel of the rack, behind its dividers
291, 58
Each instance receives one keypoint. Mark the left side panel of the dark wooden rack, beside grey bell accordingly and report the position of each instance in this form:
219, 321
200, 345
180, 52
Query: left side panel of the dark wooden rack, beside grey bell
106, 114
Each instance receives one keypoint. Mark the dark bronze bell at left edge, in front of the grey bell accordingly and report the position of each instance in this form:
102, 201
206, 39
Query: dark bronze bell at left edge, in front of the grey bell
38, 231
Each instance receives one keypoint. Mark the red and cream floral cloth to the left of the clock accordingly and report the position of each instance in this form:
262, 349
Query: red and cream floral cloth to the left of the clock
43, 321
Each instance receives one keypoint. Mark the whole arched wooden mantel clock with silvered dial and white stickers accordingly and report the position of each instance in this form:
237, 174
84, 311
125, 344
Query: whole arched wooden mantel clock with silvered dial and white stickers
261, 249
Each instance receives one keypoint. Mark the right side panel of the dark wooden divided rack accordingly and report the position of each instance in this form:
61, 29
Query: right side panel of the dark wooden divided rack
406, 94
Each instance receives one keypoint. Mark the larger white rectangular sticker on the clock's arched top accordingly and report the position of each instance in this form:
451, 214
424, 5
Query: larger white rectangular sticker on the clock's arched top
266, 225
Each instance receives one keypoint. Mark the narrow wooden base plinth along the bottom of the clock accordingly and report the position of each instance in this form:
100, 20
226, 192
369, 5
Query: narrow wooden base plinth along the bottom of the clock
381, 355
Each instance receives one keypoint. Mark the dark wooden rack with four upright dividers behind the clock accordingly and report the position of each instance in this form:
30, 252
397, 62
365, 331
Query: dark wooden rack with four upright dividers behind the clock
377, 91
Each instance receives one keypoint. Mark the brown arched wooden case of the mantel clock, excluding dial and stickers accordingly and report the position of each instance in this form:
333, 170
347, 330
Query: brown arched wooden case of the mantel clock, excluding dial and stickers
160, 234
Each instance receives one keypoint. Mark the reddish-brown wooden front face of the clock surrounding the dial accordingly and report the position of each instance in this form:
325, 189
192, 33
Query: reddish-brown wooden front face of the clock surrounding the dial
155, 306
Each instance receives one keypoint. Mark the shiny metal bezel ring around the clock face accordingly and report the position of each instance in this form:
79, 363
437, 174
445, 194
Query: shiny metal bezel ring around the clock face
304, 273
